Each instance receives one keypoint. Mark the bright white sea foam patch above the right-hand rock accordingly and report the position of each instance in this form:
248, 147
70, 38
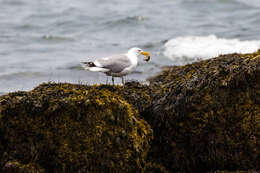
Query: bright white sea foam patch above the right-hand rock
192, 48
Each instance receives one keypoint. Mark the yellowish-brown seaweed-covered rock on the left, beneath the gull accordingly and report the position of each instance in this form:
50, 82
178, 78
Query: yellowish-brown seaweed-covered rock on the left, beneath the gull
73, 128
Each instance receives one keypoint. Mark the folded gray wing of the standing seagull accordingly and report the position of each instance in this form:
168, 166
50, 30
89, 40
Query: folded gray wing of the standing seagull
116, 63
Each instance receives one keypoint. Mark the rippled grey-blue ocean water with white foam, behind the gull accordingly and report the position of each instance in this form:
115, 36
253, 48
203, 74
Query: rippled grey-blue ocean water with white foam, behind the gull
44, 41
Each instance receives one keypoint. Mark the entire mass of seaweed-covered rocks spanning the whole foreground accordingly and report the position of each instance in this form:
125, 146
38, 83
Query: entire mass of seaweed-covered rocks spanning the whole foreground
201, 117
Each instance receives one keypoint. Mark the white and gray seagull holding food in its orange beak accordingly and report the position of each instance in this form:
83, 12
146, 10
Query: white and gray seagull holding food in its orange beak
117, 65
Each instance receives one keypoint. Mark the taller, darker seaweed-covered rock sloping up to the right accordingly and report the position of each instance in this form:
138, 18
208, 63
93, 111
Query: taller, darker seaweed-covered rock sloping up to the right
205, 115
